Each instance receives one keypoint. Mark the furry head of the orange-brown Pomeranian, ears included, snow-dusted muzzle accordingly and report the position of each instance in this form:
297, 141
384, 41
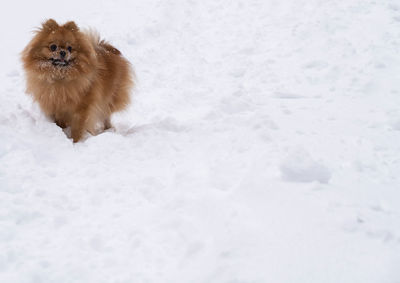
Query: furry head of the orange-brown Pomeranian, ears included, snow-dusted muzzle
59, 51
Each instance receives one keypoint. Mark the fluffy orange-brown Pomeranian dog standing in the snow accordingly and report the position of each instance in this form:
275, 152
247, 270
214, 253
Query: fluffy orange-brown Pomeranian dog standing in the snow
77, 79
